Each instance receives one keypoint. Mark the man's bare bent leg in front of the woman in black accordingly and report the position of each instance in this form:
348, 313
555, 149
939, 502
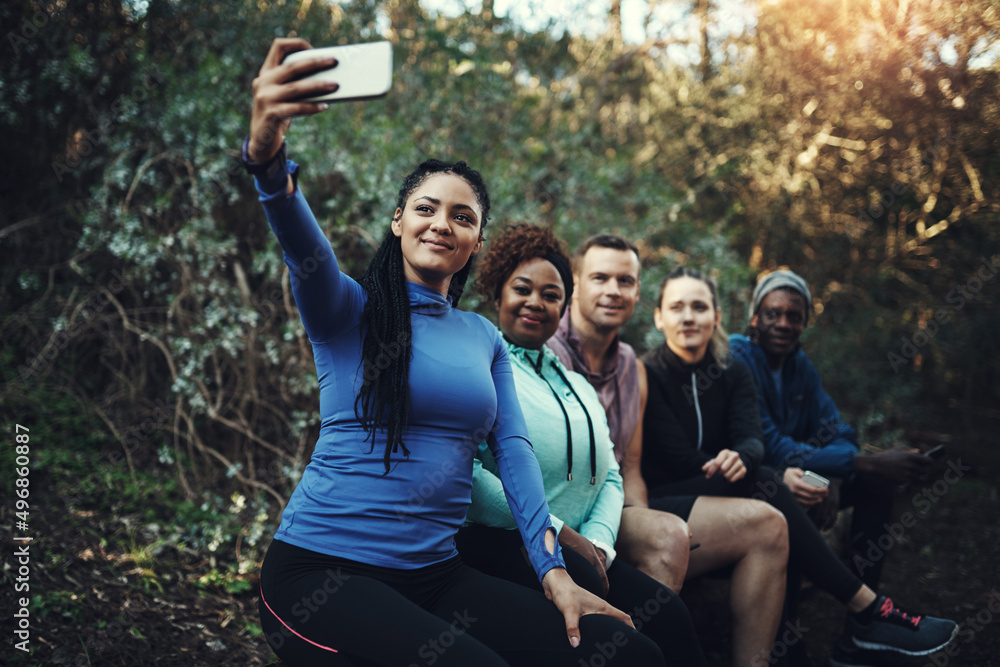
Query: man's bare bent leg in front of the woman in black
753, 537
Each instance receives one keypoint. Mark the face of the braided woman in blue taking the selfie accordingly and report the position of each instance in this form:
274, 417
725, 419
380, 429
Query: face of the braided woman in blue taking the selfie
439, 230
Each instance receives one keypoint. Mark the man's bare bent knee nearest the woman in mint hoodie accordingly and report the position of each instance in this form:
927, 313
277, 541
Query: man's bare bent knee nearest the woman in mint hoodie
656, 543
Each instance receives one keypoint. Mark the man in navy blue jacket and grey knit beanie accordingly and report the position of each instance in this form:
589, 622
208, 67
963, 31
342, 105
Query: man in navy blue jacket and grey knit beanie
803, 430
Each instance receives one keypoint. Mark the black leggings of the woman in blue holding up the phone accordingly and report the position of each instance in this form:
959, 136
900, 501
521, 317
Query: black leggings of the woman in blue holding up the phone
321, 610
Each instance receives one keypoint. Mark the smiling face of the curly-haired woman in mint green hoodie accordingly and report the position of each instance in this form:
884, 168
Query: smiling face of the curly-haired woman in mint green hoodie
531, 303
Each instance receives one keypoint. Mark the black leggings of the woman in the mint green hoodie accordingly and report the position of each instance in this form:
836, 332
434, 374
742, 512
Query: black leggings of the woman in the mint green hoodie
656, 611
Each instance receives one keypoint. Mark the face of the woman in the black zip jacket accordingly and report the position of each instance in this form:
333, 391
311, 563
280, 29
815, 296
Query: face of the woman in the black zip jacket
687, 317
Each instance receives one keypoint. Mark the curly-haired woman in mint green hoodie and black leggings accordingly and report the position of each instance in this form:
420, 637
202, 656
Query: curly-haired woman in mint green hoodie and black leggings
527, 273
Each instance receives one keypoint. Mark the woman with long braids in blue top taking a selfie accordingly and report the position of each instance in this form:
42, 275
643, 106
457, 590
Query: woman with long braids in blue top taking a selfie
359, 574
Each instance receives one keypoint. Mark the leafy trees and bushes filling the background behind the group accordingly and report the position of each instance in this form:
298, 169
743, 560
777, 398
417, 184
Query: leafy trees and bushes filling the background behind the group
147, 313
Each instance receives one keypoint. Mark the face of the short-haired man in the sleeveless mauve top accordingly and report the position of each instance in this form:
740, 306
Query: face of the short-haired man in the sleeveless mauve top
607, 288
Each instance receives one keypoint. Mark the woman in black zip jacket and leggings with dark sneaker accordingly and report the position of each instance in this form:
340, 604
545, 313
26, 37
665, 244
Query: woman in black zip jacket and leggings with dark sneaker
702, 437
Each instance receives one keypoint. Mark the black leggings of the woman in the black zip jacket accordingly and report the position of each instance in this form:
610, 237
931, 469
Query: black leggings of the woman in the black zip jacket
808, 554
